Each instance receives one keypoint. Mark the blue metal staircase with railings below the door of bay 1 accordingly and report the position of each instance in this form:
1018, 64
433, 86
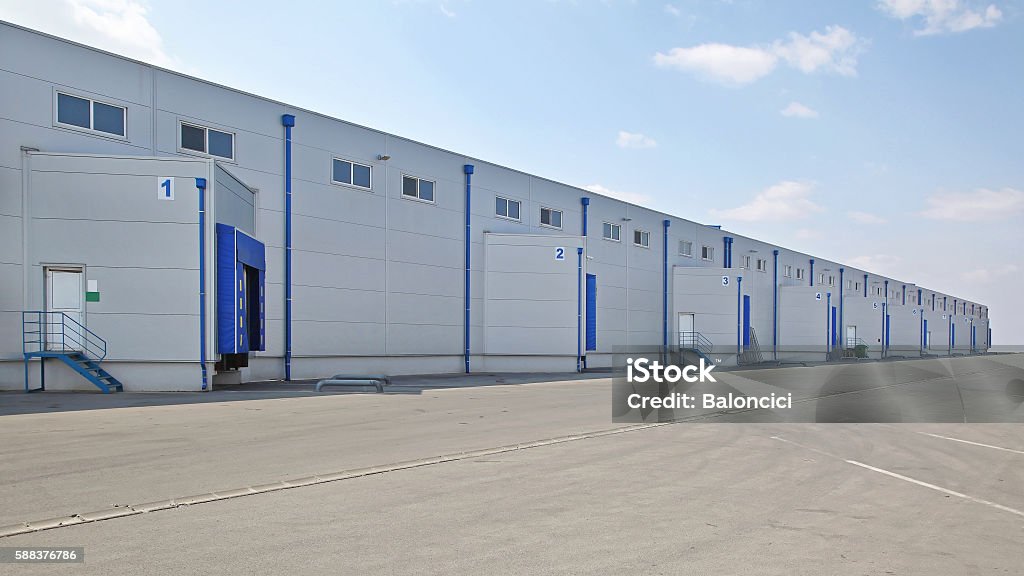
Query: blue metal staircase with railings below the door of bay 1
55, 335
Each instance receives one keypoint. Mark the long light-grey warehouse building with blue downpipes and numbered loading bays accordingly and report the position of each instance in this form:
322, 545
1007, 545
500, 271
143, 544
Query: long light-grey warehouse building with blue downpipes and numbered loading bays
163, 233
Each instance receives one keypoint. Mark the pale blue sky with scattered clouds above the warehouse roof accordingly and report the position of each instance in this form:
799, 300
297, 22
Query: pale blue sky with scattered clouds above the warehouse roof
886, 135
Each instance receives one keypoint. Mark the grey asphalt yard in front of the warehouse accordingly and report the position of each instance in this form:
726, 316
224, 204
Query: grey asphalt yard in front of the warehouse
685, 499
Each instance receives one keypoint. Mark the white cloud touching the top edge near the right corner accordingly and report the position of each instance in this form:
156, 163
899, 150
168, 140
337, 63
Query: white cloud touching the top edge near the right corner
944, 16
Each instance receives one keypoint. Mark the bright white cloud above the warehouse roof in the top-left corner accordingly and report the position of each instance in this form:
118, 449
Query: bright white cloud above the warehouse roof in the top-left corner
117, 26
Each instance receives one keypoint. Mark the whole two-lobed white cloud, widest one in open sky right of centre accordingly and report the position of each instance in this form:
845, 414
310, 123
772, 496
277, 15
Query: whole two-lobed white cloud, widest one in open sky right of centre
835, 51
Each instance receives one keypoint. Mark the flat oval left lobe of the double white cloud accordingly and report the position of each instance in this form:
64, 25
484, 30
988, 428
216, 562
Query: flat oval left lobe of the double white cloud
721, 63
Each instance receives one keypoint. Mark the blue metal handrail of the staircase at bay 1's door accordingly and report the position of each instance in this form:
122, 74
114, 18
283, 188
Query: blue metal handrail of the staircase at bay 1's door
56, 332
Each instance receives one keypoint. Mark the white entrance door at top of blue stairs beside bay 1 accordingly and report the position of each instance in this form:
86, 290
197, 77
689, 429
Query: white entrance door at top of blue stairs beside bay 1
65, 294
